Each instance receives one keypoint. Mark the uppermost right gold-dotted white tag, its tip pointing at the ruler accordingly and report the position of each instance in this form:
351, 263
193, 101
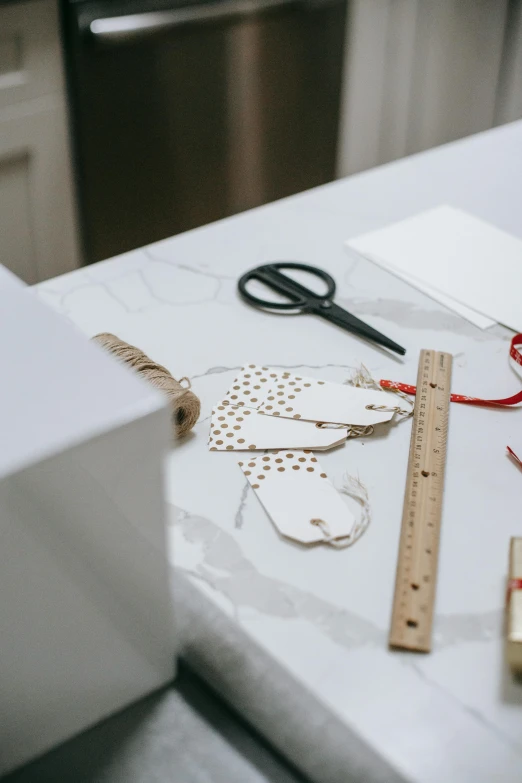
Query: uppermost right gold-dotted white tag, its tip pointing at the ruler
299, 397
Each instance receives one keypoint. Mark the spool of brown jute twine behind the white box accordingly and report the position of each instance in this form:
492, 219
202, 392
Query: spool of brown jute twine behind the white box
184, 403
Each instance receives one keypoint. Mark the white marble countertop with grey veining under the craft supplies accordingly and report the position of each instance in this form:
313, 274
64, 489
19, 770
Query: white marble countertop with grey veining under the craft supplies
318, 619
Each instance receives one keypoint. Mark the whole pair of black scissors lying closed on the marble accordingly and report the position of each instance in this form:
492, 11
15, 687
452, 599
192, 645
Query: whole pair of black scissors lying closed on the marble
306, 301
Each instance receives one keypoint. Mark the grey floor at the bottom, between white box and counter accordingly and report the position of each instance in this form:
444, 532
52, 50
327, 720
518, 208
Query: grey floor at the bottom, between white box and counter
184, 734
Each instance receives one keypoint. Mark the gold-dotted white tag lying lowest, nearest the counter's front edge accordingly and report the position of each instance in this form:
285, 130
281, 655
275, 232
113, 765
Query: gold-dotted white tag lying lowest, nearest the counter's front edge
298, 496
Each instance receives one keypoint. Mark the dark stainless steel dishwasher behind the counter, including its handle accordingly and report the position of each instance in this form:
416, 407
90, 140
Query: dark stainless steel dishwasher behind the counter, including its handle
184, 114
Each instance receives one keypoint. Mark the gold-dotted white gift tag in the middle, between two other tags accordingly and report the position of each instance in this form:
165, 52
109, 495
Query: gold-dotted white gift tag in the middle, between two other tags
238, 428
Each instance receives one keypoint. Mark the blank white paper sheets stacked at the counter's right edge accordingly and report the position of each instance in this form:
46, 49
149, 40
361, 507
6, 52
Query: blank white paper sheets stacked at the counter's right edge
469, 266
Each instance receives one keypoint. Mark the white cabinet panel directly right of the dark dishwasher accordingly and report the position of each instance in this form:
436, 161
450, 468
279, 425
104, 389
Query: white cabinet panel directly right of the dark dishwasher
417, 74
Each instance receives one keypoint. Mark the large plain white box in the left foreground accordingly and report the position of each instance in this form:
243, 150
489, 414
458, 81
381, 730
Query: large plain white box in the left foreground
85, 608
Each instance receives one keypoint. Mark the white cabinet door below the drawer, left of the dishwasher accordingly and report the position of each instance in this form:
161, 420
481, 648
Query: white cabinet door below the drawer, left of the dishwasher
37, 221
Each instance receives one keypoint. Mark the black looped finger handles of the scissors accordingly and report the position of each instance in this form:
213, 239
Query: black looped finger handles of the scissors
301, 298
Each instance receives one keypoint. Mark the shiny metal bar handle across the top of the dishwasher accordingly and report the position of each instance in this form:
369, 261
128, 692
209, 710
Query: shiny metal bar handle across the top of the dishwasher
117, 29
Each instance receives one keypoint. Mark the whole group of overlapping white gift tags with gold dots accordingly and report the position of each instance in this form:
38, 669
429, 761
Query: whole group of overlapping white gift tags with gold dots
270, 409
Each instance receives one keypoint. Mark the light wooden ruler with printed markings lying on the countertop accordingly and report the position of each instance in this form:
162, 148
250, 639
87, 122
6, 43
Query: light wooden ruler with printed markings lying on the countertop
416, 579
